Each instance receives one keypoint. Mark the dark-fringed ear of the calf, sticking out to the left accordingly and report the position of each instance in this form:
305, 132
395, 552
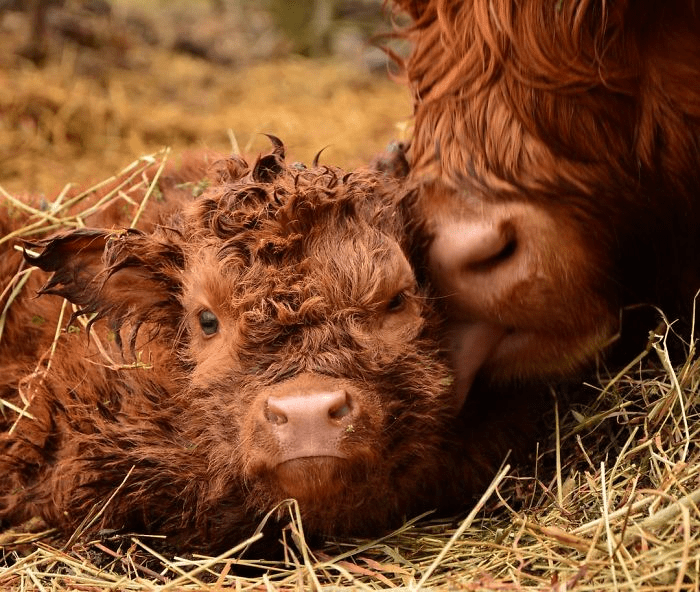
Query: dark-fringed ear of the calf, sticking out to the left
126, 276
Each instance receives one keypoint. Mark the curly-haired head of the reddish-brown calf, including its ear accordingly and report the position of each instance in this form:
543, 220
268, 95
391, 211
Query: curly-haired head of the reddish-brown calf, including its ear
290, 334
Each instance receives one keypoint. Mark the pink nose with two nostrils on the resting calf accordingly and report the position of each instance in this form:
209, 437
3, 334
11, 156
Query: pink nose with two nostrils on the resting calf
310, 424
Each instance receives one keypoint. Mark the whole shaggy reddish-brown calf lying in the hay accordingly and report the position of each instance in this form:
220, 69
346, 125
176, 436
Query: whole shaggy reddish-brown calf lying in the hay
279, 284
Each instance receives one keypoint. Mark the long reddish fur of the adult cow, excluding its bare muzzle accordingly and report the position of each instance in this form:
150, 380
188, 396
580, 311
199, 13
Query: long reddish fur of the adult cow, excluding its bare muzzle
587, 107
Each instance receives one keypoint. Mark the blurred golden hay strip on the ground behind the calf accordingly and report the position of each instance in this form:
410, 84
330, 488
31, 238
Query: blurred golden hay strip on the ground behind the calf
91, 111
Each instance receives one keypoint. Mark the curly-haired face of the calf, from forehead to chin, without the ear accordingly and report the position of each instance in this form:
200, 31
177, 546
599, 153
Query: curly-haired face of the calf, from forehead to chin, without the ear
317, 369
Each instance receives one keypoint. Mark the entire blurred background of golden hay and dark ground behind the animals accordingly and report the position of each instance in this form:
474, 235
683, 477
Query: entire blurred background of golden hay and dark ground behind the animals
88, 86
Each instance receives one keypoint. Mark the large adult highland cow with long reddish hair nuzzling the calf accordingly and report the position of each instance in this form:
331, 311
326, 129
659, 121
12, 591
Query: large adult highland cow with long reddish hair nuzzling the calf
557, 145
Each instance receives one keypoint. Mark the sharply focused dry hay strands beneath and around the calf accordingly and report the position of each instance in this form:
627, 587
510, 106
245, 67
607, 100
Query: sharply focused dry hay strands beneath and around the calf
610, 502
